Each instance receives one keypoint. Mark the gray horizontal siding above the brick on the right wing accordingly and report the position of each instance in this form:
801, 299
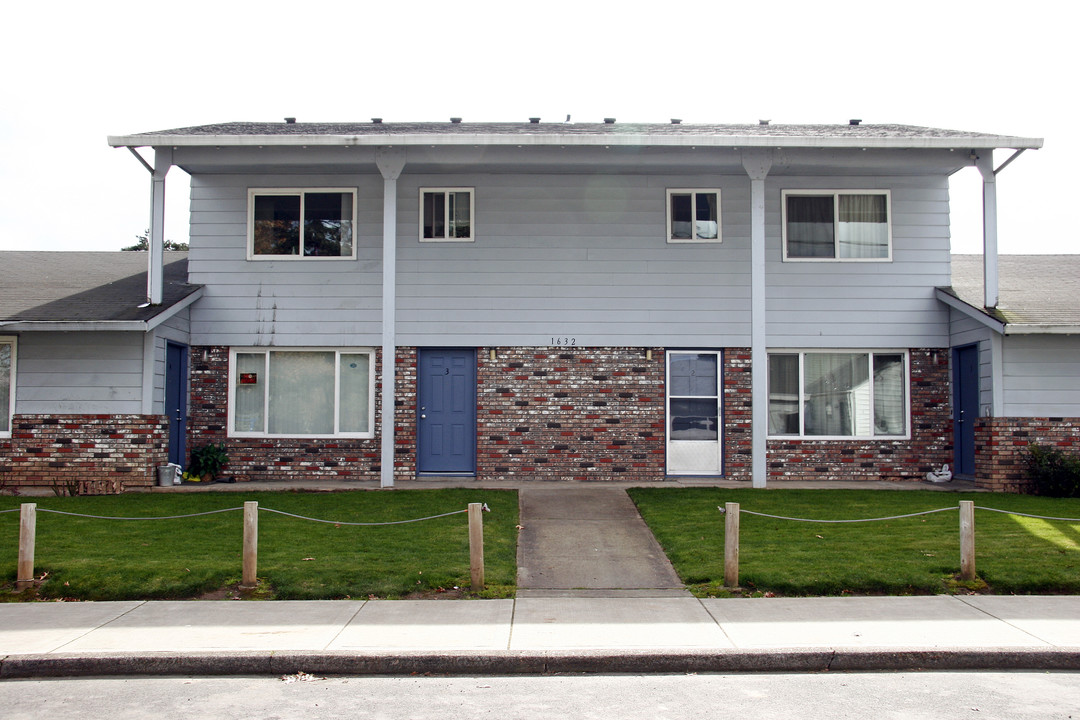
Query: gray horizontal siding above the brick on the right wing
1042, 376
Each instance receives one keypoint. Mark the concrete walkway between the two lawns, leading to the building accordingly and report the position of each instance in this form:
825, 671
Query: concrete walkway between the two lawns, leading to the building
589, 542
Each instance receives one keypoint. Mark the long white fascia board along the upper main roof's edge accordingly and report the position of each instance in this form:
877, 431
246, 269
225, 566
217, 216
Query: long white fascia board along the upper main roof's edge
575, 140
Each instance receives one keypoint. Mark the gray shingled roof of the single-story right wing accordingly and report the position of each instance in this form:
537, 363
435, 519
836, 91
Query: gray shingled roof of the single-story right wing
1041, 291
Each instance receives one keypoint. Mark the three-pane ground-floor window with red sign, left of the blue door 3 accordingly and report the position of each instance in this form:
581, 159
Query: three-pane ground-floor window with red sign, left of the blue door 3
302, 393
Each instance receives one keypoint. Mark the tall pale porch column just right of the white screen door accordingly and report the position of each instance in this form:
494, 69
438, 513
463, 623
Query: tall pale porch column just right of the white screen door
758, 165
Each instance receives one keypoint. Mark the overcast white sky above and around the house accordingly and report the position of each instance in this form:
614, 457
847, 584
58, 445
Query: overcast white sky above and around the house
77, 73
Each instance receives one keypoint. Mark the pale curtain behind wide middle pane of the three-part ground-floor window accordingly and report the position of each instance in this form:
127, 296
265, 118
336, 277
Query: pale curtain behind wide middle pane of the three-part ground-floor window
302, 393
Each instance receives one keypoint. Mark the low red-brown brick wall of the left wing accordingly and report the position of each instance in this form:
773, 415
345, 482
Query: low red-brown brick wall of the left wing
98, 454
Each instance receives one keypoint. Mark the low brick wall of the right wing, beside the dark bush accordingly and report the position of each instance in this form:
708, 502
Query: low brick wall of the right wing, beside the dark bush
1002, 449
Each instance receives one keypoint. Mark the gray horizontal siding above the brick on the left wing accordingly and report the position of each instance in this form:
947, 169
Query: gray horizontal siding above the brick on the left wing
79, 373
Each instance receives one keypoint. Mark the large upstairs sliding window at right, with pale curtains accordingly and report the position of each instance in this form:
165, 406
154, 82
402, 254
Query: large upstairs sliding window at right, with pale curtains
838, 225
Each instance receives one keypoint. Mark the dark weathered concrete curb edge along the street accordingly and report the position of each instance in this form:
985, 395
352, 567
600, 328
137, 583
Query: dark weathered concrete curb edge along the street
794, 660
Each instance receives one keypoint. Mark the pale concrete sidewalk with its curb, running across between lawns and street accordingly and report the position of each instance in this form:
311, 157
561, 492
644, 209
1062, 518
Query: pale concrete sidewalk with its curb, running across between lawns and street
541, 636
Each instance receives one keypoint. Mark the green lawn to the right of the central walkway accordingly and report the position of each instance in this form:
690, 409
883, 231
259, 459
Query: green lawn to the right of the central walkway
919, 555
